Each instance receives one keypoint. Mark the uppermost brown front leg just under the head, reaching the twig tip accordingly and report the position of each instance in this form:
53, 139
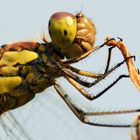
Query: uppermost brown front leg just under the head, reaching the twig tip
74, 60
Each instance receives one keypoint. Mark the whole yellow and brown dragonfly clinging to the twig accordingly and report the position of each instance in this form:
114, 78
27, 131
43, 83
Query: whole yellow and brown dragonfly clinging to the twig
28, 68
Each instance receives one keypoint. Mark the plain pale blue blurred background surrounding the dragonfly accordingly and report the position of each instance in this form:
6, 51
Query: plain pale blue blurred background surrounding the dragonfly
47, 117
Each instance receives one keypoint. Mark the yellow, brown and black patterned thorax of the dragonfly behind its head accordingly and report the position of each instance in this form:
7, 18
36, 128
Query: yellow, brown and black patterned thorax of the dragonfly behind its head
25, 72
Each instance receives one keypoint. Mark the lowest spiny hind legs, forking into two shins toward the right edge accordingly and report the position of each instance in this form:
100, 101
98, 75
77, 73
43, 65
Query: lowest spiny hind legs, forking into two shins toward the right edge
82, 116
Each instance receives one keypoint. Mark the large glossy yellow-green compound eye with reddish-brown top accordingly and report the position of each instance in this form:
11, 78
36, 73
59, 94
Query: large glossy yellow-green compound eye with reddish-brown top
62, 29
